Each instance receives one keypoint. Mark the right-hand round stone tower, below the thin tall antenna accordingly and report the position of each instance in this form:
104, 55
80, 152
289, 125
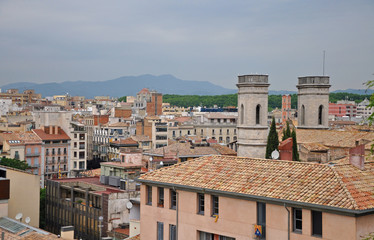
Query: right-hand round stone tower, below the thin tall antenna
313, 102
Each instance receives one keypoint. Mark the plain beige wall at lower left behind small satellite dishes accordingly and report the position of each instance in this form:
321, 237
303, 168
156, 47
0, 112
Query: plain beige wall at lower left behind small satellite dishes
24, 195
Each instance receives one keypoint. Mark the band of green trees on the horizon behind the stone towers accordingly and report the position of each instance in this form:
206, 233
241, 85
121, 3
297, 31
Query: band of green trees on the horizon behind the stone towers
275, 101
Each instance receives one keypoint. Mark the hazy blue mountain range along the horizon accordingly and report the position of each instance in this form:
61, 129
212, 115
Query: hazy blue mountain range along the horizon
130, 85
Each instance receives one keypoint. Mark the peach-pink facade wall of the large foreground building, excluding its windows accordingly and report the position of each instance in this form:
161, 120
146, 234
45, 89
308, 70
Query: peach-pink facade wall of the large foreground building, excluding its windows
237, 219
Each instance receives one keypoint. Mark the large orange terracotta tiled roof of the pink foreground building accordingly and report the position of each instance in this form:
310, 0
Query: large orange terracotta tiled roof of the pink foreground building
340, 186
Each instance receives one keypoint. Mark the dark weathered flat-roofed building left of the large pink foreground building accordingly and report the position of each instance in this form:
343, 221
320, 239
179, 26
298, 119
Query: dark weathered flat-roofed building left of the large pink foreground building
82, 202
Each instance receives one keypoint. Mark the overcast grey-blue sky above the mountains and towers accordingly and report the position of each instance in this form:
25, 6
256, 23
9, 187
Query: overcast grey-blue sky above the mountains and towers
70, 40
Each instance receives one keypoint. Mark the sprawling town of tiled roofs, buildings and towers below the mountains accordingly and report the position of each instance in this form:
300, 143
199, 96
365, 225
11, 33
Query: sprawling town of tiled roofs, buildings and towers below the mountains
141, 168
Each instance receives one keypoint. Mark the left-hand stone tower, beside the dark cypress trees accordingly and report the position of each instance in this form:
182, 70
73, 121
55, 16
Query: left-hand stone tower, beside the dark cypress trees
253, 111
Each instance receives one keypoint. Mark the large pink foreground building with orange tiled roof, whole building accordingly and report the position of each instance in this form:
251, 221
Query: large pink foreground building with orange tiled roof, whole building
224, 197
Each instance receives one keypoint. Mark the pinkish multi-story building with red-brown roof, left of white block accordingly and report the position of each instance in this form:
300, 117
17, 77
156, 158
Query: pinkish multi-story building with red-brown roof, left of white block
55, 152
